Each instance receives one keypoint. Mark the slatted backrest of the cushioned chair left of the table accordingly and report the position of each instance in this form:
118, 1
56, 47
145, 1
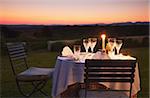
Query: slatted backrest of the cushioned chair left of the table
17, 56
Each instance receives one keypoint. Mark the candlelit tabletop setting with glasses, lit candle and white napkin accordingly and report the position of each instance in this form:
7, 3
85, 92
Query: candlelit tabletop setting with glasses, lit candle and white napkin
109, 50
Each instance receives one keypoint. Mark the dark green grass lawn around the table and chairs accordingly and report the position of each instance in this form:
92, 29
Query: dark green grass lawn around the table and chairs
47, 59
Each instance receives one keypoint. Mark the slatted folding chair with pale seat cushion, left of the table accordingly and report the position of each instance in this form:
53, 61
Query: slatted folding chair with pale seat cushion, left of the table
36, 77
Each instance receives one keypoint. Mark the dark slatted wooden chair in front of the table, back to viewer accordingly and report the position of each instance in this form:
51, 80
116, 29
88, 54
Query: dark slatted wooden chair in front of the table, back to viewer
107, 71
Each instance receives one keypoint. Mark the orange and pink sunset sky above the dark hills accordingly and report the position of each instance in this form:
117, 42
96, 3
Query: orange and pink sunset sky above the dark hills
72, 11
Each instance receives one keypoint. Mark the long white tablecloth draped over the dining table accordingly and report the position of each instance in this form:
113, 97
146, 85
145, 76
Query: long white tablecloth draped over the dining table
68, 71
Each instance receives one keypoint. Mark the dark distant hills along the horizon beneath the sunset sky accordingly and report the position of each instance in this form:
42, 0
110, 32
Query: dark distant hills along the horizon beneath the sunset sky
54, 32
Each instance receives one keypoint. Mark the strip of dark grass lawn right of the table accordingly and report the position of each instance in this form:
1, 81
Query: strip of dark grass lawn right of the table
142, 55
